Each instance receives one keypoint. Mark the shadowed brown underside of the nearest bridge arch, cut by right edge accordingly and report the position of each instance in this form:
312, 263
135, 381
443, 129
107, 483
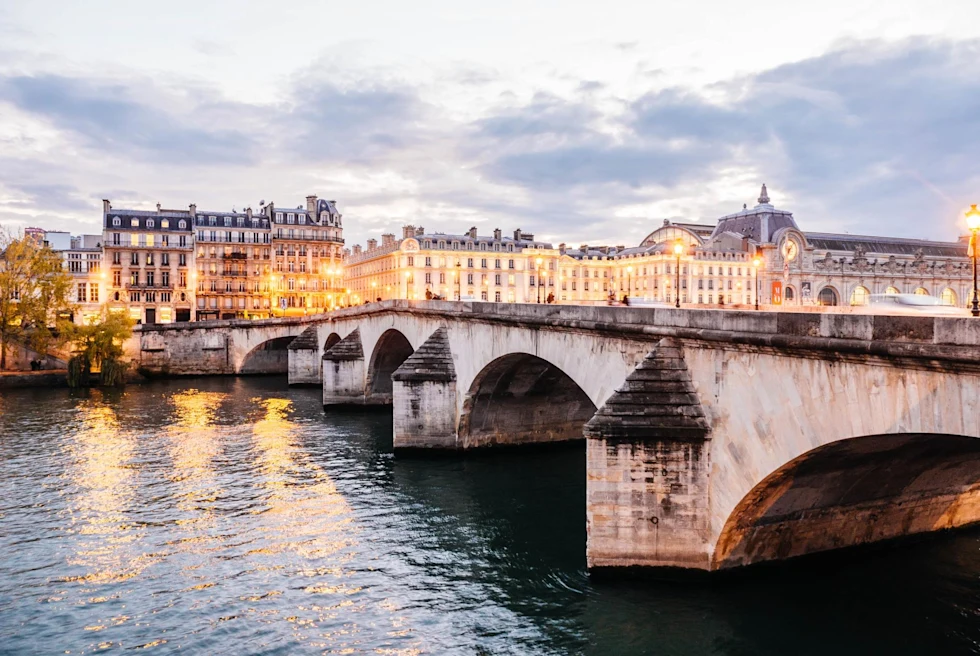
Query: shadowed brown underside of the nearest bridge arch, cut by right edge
852, 492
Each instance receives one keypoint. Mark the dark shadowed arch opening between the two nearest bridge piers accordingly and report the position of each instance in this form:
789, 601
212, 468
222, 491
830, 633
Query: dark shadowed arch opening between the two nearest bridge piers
520, 398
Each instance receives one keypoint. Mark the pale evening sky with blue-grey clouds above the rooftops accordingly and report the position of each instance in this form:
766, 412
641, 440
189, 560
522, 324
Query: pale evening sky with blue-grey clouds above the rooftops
581, 122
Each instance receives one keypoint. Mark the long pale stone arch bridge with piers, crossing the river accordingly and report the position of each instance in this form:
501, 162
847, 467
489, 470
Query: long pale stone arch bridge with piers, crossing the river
715, 438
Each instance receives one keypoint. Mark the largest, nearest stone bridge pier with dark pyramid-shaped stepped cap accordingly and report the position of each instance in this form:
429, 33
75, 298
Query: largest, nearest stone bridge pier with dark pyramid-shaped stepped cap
647, 469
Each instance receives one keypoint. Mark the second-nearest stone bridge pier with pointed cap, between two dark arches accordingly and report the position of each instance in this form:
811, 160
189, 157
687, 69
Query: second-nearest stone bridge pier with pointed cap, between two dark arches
424, 397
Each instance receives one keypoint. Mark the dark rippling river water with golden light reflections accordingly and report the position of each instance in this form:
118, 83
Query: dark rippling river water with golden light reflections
214, 516
